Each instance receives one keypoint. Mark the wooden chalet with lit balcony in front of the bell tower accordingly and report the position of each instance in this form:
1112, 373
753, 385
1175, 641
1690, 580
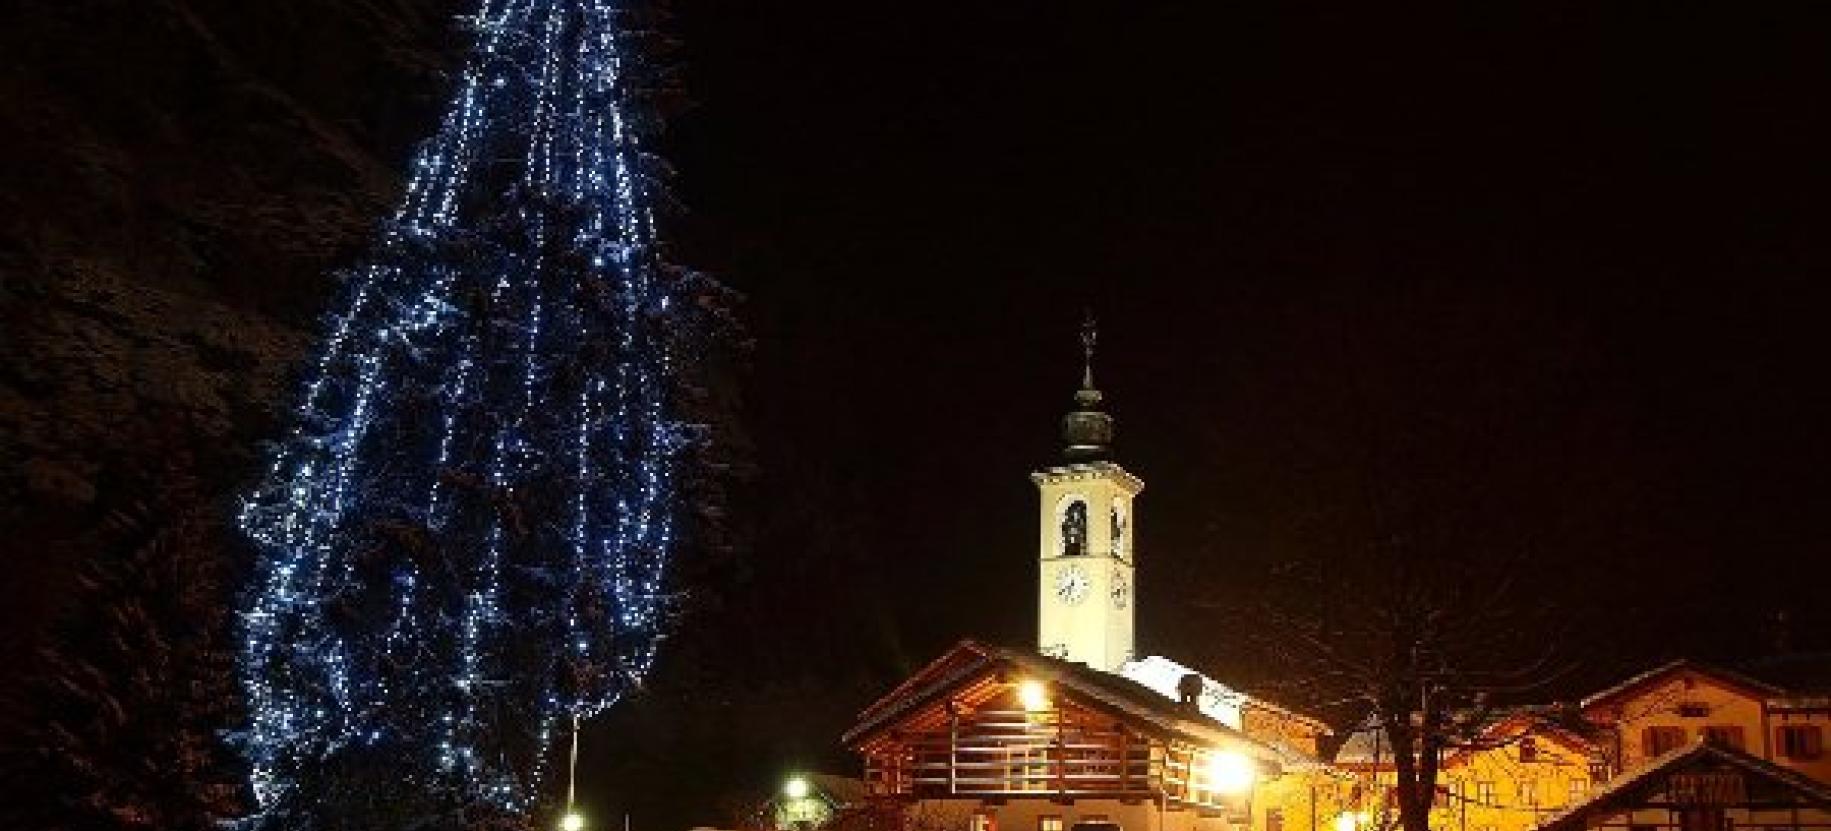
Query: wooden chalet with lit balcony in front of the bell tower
991, 737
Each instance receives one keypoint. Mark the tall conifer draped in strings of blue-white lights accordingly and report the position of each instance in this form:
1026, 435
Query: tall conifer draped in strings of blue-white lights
464, 541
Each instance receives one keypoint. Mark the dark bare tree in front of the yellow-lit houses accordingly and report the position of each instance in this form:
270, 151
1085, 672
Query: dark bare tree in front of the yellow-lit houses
1435, 528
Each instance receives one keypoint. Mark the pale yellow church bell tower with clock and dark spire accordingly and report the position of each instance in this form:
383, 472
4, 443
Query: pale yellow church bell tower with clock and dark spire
1085, 596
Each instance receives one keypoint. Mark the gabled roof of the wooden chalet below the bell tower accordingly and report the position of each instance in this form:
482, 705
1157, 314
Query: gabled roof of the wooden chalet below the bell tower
1127, 698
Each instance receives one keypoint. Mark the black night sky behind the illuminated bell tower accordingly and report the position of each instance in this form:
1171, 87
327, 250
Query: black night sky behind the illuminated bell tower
1594, 230
